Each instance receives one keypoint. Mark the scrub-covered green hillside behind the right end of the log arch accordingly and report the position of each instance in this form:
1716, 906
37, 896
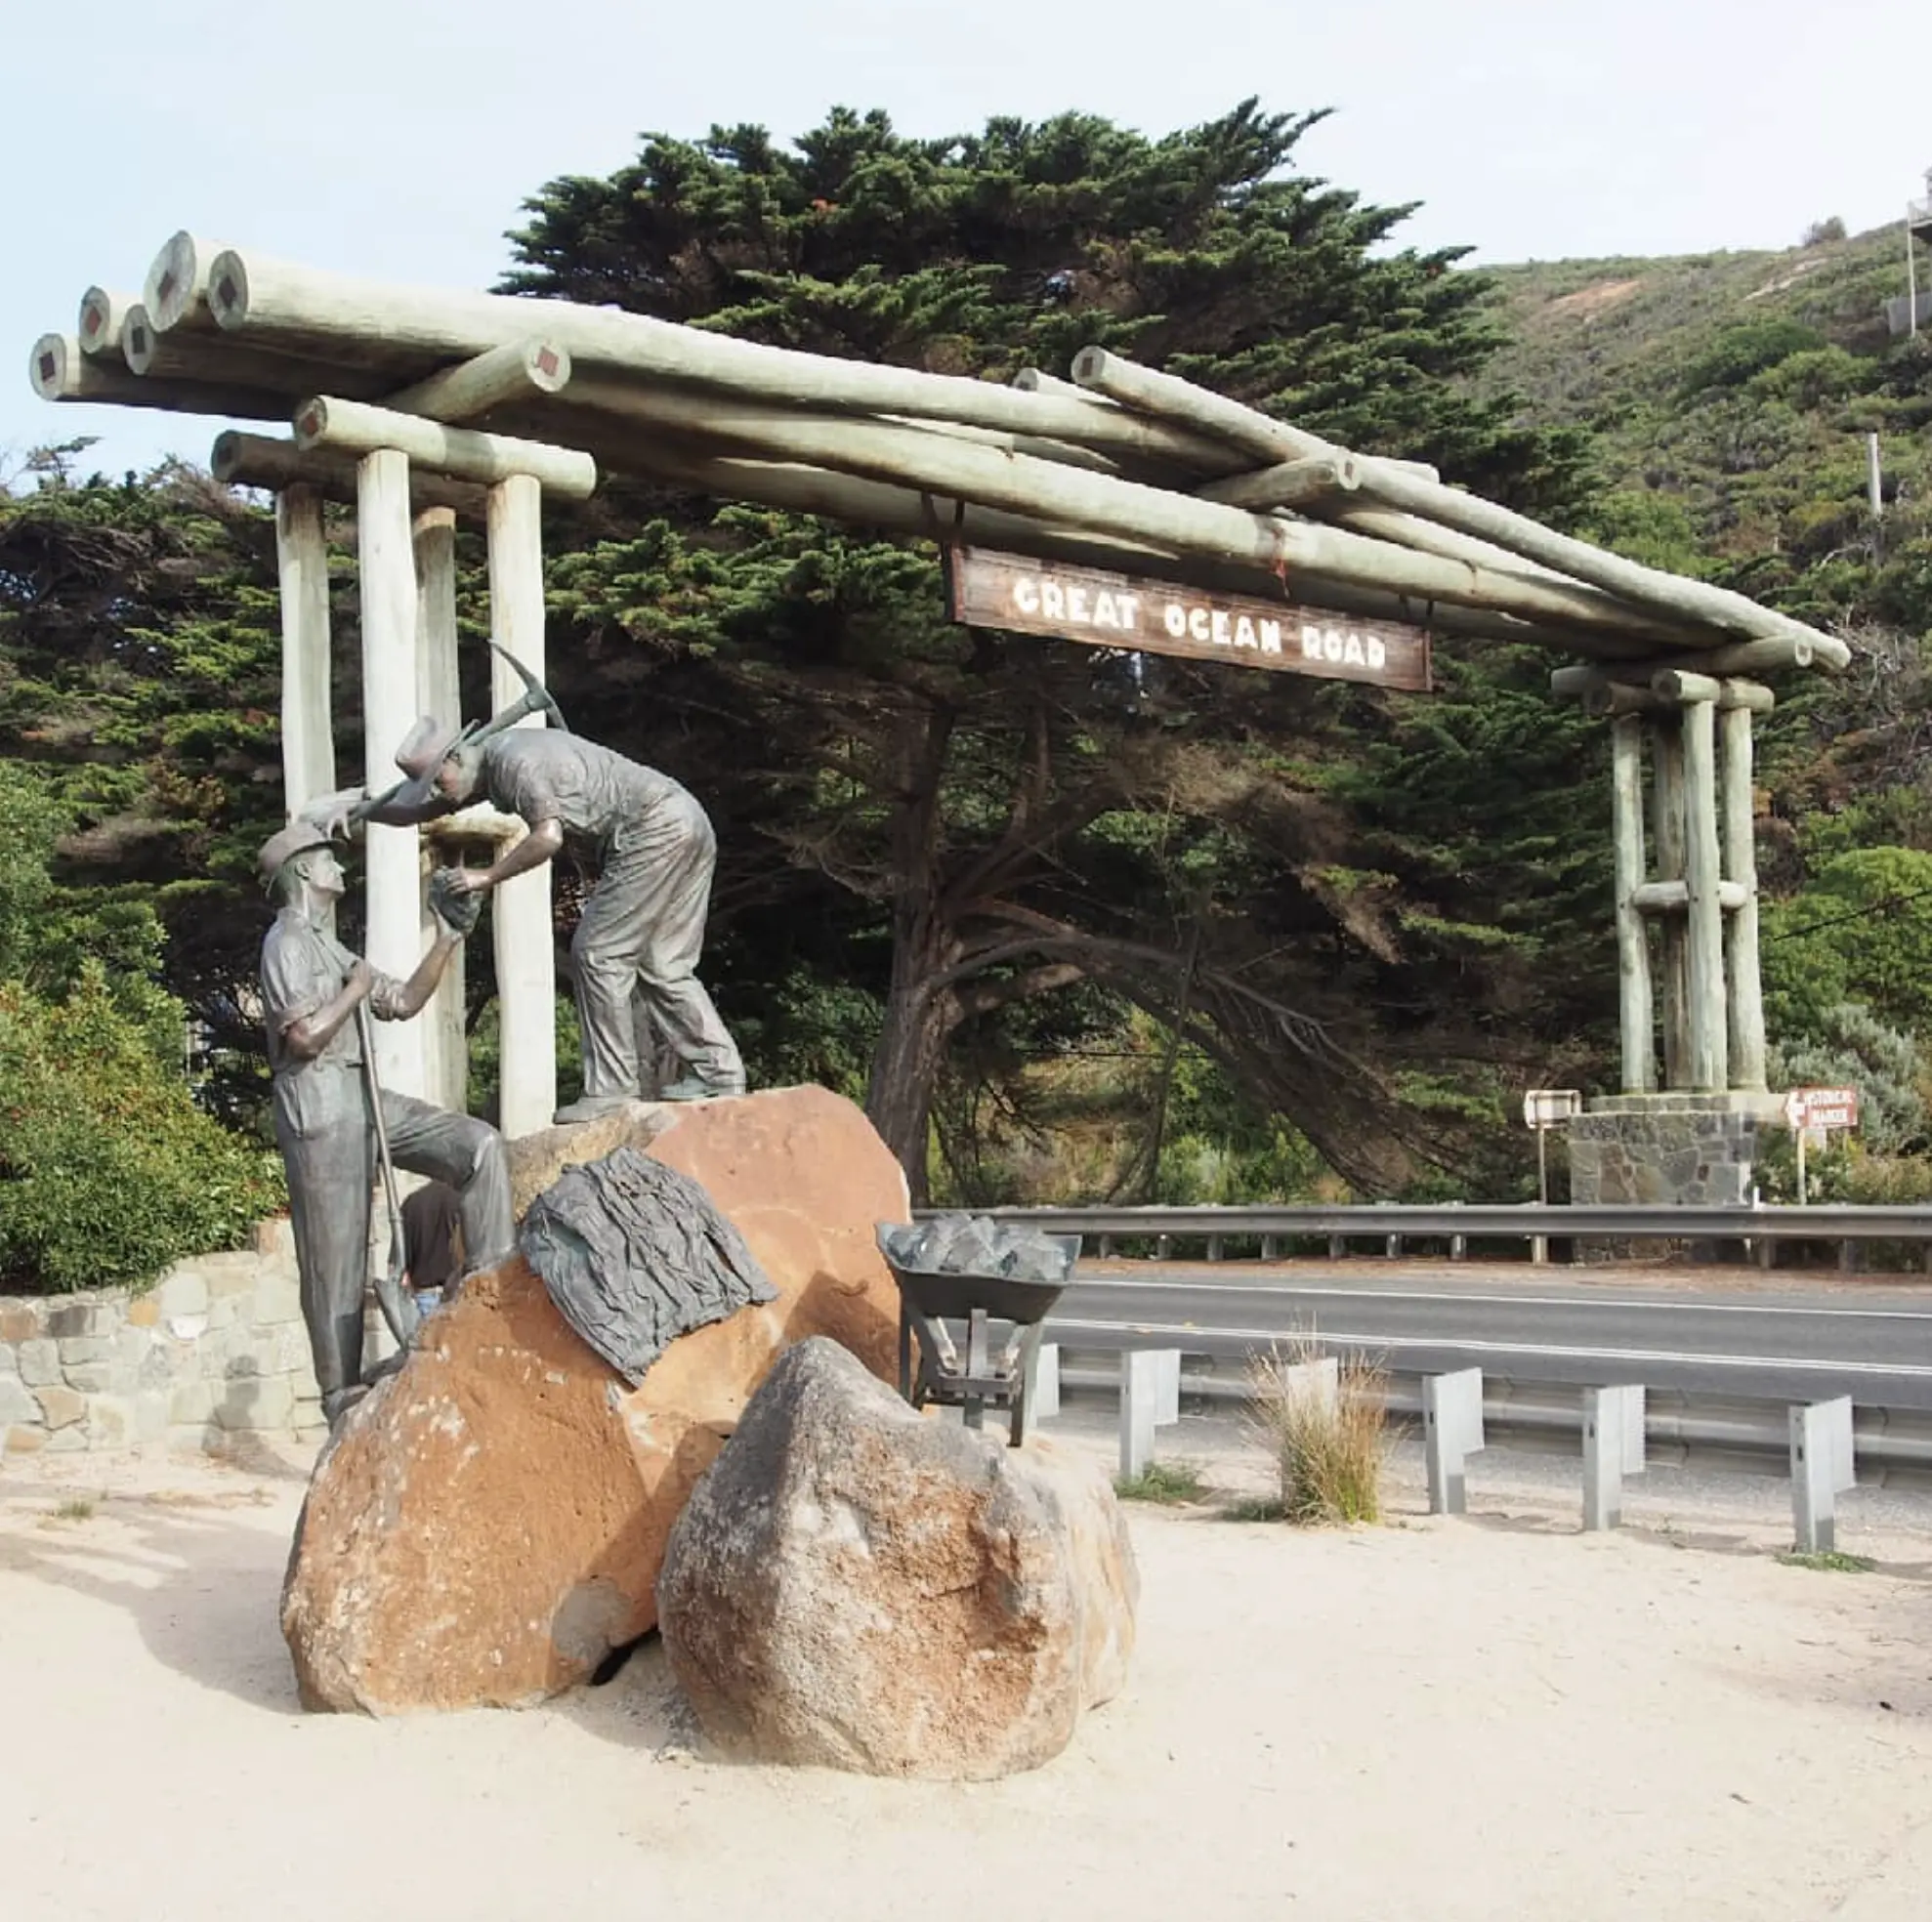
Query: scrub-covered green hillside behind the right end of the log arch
1730, 399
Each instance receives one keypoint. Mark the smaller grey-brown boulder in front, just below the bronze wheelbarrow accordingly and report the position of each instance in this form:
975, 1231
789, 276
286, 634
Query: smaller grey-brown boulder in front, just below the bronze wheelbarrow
865, 1589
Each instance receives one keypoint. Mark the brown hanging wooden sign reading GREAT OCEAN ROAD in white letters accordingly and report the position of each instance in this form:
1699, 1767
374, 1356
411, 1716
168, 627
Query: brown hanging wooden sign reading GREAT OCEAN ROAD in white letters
1164, 619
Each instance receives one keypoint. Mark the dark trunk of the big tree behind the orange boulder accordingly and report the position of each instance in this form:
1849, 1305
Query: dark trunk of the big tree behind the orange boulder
919, 1015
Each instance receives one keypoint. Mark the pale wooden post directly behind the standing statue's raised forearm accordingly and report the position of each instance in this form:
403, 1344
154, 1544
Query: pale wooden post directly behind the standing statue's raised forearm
391, 866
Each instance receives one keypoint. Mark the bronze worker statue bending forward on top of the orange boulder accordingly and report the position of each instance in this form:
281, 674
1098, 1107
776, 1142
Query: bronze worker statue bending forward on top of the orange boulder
635, 957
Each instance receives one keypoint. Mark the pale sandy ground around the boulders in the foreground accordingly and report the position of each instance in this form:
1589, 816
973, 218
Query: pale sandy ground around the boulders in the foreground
1442, 1720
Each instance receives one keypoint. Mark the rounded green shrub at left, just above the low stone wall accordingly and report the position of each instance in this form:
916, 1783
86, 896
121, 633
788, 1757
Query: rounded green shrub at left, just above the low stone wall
107, 1168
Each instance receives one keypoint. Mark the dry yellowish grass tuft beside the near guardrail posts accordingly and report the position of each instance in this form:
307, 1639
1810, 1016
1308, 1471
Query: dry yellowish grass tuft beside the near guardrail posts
1330, 1440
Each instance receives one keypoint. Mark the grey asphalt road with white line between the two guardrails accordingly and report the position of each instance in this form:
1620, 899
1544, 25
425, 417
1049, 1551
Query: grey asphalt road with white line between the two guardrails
1775, 1345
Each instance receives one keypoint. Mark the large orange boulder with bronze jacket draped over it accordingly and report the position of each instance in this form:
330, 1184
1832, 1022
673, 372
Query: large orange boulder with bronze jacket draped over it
490, 1521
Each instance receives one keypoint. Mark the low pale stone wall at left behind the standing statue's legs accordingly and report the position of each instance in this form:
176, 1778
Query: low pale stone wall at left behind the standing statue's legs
208, 1359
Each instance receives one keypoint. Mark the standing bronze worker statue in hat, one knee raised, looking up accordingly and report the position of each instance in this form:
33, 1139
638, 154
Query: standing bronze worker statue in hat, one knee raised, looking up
312, 988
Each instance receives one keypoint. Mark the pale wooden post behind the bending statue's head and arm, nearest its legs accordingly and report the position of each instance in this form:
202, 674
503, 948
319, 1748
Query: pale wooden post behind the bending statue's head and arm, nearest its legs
526, 951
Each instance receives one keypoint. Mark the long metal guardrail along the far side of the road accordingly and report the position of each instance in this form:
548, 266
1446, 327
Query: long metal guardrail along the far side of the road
1477, 1222
